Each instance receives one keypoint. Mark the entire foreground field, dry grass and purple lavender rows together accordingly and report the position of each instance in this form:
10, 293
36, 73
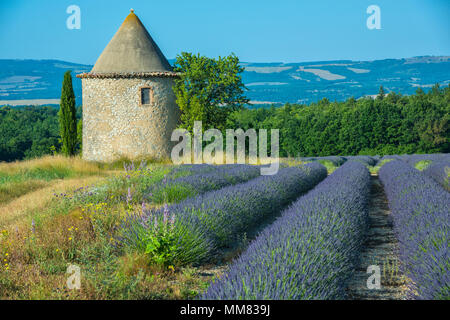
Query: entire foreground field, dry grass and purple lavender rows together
160, 231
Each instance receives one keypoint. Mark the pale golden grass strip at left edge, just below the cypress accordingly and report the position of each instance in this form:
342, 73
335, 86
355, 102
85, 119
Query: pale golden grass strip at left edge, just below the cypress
27, 186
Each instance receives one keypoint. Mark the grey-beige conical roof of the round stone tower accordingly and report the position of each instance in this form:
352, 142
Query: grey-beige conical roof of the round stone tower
131, 50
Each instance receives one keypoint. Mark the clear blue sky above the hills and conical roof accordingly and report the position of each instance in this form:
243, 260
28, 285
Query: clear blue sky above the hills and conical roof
255, 30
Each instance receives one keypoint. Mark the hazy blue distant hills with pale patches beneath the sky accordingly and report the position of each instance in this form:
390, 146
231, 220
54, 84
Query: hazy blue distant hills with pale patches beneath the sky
40, 80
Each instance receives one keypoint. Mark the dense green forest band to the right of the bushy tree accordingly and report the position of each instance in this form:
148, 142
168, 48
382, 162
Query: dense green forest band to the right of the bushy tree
388, 124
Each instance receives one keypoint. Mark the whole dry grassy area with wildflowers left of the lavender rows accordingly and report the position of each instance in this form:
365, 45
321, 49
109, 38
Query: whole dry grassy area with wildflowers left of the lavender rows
34, 257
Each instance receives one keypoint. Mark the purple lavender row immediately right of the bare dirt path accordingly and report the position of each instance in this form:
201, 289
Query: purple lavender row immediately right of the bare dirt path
421, 214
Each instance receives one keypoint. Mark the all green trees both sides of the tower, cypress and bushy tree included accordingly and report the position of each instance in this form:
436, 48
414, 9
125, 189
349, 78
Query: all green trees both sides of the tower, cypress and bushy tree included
212, 91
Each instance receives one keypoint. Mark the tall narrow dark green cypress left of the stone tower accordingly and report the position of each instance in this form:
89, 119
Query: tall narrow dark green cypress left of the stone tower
67, 117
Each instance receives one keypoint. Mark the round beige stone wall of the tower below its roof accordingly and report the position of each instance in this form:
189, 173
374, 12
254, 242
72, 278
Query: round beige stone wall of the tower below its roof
116, 125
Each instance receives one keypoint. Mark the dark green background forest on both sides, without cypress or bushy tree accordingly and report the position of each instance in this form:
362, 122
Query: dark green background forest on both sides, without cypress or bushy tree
389, 124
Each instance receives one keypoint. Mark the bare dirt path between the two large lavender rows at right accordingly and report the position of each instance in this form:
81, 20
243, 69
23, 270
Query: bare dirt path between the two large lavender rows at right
380, 248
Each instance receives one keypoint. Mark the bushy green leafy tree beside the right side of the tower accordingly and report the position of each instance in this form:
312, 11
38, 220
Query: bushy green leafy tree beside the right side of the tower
208, 89
